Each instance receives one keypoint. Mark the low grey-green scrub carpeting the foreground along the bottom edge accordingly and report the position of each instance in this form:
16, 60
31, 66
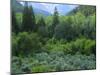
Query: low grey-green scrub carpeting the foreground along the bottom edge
55, 61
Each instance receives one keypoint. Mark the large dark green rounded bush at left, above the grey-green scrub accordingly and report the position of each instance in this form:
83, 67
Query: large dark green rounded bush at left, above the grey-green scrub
27, 43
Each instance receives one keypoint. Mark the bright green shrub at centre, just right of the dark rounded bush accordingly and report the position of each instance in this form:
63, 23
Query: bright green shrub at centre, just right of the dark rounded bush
54, 45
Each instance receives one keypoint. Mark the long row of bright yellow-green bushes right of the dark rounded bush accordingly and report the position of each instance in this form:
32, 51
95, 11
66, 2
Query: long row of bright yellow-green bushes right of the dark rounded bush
81, 45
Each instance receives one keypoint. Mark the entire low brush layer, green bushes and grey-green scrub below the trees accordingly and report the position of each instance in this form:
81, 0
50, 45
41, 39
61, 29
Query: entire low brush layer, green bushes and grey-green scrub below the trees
55, 55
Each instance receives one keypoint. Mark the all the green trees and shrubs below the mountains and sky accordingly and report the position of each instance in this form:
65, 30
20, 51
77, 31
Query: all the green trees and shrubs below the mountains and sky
53, 43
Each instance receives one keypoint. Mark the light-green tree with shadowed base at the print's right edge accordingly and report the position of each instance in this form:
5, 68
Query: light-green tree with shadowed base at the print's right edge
89, 29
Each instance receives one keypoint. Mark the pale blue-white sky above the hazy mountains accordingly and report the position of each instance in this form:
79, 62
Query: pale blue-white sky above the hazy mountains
49, 7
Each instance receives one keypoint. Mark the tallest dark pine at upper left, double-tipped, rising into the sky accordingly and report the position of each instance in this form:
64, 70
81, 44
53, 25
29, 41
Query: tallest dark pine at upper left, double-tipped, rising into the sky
28, 23
